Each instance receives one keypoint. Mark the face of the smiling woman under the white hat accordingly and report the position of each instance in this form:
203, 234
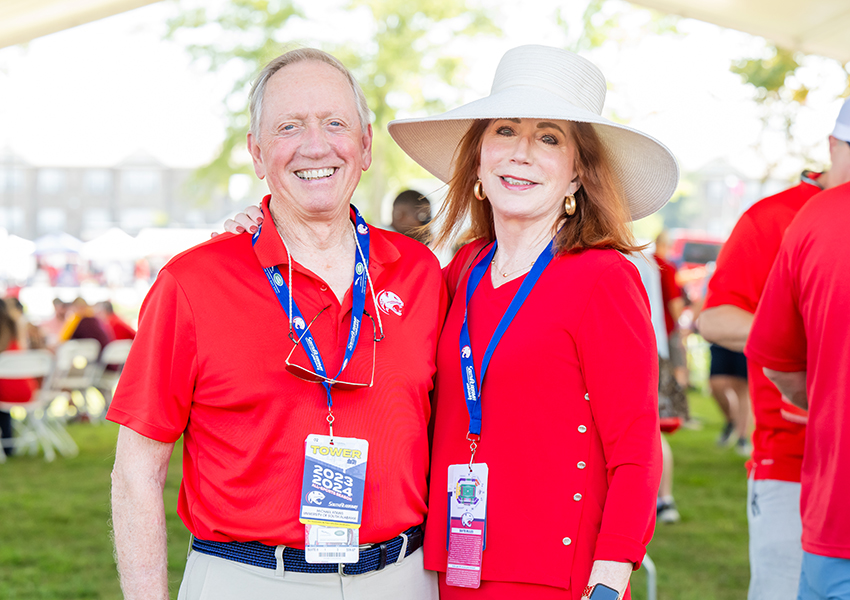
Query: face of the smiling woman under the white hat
527, 168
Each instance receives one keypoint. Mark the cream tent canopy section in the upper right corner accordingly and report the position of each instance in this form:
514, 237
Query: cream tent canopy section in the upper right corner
821, 27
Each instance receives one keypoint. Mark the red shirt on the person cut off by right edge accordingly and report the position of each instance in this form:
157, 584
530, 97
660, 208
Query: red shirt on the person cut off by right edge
801, 325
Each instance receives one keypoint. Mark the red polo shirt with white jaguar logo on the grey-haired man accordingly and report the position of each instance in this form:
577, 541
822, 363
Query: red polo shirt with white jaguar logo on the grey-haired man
208, 364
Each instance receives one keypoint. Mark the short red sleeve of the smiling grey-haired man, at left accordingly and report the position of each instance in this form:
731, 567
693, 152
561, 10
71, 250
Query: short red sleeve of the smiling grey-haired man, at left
155, 392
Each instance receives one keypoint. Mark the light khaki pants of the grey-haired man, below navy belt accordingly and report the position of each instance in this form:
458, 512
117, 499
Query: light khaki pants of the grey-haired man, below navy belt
212, 578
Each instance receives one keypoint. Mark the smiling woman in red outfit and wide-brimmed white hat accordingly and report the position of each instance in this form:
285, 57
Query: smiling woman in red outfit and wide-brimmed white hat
546, 444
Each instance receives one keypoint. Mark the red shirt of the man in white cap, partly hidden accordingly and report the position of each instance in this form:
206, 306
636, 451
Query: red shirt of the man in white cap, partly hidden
742, 268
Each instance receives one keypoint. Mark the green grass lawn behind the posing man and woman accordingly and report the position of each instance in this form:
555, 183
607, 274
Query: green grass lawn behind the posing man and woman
54, 521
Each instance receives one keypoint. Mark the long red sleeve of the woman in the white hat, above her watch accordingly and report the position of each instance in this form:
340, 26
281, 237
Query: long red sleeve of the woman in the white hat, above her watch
619, 361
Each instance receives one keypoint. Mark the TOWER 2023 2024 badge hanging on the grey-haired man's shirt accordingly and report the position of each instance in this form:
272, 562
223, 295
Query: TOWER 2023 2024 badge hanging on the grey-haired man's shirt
332, 497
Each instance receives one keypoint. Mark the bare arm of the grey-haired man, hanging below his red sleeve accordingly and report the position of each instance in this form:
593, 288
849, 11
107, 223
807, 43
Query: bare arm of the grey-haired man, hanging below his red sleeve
138, 515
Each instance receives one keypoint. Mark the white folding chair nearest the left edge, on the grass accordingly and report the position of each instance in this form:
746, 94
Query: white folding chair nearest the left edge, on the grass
33, 423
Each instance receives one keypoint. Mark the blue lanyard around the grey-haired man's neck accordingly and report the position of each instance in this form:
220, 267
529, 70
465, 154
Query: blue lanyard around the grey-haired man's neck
358, 302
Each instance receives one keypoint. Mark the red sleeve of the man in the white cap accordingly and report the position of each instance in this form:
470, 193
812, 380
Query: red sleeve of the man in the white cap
742, 266
